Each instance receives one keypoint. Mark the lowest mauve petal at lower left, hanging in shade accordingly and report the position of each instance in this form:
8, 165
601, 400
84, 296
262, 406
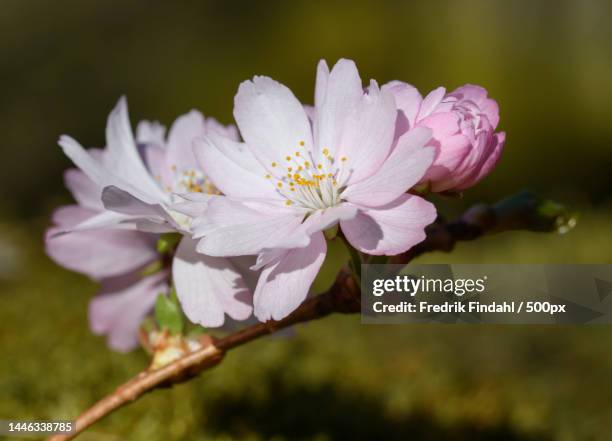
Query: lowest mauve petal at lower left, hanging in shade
121, 306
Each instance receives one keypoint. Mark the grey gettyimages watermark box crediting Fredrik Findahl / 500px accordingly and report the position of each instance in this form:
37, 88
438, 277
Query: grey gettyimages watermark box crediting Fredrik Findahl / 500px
513, 294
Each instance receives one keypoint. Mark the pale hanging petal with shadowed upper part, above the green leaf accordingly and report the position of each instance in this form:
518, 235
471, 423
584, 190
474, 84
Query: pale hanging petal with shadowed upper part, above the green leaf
209, 287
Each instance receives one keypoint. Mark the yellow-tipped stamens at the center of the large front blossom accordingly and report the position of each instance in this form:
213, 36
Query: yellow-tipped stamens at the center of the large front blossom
307, 183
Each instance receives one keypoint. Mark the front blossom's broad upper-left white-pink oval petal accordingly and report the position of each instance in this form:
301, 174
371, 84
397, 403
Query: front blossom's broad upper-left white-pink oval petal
271, 120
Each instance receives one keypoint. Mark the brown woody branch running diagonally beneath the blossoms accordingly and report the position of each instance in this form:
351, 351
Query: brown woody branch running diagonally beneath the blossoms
521, 212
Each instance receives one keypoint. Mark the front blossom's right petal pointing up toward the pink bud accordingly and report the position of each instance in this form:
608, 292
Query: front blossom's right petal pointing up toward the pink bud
401, 171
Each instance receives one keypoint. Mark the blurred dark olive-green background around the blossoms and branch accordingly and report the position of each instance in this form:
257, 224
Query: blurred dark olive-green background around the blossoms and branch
548, 64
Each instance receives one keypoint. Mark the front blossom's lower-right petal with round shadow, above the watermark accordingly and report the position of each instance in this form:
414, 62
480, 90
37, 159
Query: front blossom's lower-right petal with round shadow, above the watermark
391, 229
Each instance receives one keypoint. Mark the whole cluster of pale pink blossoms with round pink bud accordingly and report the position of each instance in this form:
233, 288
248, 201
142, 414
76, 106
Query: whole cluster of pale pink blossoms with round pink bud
252, 202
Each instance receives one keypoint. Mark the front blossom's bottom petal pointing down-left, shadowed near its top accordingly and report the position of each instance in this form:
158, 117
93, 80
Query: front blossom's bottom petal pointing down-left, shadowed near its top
283, 286
